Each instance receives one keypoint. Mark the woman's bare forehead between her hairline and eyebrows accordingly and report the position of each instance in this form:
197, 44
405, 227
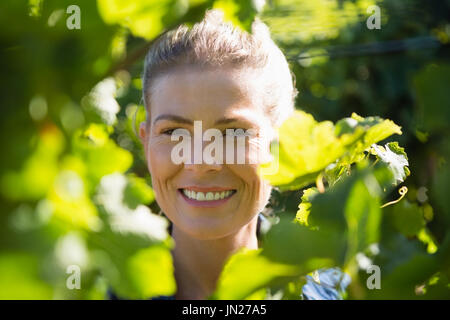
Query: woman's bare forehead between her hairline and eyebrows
199, 94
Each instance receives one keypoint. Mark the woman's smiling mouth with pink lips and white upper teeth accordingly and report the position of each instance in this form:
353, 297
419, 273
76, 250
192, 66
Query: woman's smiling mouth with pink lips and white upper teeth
206, 197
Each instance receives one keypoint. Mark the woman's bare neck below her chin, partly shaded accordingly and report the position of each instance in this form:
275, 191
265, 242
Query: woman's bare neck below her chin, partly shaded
198, 263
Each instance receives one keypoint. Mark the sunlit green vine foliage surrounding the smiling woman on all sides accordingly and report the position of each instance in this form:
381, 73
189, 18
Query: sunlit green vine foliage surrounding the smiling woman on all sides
75, 190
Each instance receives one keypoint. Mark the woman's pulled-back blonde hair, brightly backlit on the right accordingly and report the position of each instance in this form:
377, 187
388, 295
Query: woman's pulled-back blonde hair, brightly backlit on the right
213, 43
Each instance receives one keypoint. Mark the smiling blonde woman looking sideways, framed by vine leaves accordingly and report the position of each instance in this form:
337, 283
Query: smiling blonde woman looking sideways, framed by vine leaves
225, 79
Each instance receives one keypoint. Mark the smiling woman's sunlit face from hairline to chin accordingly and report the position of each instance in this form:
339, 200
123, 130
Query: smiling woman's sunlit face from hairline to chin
207, 201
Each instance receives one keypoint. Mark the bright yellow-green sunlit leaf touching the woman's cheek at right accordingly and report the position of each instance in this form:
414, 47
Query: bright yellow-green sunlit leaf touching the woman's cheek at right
307, 147
